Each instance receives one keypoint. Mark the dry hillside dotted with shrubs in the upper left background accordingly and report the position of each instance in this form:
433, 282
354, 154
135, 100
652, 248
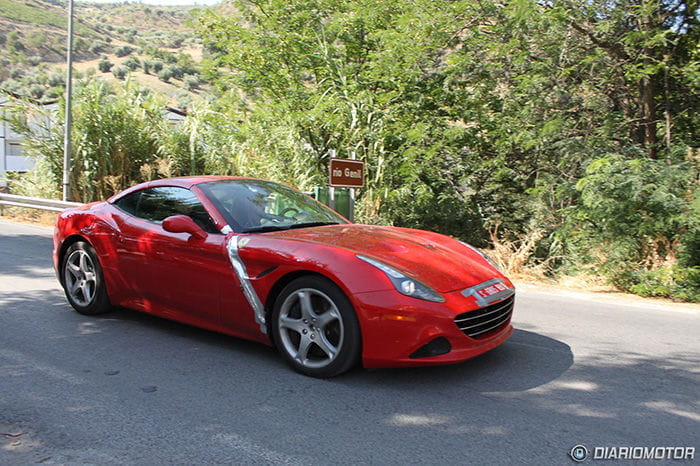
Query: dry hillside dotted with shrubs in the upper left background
155, 45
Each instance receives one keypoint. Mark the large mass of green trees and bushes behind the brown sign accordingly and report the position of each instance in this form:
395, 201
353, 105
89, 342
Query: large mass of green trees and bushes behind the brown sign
470, 114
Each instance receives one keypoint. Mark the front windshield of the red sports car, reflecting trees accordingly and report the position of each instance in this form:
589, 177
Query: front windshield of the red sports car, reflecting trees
256, 205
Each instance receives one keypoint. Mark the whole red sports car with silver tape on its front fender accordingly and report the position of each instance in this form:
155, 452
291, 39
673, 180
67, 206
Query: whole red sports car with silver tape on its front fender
262, 261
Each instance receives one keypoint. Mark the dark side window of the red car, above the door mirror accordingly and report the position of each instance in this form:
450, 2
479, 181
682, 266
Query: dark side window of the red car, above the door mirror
156, 204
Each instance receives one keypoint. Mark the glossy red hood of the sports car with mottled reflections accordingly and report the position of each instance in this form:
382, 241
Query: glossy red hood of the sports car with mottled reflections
439, 261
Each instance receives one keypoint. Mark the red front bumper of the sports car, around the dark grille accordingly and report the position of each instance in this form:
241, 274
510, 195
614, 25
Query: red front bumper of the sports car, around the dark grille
394, 327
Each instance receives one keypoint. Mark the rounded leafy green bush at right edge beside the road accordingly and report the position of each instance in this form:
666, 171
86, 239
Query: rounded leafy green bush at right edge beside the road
636, 220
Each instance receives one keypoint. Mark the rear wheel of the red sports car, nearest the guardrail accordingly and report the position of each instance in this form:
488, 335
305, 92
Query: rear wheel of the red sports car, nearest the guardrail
83, 280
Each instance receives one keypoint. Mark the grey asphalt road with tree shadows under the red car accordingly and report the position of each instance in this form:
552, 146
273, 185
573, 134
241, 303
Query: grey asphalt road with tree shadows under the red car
127, 388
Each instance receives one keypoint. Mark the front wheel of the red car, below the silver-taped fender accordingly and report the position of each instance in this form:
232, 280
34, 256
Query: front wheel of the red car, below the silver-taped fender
315, 328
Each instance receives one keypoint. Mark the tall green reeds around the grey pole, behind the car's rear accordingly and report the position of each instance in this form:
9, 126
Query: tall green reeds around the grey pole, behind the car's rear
119, 138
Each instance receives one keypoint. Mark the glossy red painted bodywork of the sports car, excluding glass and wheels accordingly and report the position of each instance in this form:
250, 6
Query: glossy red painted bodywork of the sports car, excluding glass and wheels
180, 277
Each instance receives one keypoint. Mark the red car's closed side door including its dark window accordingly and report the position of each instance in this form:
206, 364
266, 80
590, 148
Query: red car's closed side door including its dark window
172, 274
